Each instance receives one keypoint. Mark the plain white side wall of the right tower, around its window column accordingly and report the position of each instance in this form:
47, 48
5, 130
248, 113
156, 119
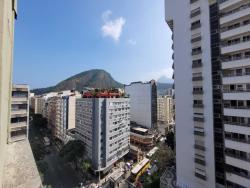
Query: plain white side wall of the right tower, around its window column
179, 11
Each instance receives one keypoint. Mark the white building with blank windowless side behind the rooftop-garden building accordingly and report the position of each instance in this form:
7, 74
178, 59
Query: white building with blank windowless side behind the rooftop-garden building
143, 101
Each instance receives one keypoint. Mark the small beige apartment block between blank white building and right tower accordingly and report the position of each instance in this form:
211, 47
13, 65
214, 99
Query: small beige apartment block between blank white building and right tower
165, 109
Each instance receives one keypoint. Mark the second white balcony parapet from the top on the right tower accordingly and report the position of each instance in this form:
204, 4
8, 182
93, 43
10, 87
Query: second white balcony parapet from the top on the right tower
236, 13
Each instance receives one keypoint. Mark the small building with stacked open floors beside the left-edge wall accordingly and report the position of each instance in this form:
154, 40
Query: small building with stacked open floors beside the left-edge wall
19, 125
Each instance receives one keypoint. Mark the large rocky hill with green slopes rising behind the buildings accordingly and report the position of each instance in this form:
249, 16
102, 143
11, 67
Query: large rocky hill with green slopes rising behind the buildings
95, 78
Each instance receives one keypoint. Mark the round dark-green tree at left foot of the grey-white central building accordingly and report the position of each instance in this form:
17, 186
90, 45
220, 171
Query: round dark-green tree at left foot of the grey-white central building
72, 152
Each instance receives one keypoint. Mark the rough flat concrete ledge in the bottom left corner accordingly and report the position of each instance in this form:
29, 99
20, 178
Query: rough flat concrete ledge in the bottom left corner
20, 170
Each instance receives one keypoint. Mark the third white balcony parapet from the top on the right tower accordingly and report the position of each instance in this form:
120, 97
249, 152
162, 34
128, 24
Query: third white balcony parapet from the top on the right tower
235, 30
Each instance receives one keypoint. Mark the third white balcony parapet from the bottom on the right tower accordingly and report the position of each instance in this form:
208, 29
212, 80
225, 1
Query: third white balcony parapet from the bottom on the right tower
237, 144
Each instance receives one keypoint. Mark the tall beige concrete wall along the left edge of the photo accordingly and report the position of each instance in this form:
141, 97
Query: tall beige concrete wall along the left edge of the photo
6, 57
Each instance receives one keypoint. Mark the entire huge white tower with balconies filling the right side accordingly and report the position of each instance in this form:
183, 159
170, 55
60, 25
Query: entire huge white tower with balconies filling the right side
212, 100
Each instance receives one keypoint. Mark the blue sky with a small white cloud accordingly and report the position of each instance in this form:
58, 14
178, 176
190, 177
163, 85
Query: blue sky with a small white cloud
56, 39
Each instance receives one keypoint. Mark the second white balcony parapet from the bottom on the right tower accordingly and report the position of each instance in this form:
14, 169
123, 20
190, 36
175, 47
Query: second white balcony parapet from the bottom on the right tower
237, 161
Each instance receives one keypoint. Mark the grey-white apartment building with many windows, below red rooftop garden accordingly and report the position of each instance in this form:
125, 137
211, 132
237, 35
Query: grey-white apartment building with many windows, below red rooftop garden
103, 124
